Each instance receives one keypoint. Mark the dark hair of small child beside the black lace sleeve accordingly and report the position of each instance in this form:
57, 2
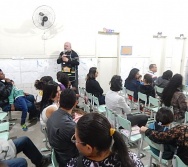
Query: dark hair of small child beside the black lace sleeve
164, 115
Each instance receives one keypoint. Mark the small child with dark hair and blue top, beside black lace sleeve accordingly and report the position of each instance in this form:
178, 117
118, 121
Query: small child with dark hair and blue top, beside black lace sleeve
163, 119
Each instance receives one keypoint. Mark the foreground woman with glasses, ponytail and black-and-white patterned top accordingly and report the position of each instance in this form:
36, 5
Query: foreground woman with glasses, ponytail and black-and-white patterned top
100, 145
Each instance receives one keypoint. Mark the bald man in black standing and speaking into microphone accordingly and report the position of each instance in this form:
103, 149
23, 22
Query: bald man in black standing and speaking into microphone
69, 62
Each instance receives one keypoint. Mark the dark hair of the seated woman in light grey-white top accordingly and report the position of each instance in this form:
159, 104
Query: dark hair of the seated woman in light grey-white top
116, 83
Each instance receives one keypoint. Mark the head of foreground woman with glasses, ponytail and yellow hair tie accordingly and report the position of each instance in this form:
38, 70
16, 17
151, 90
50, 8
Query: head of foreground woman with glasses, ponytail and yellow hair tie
94, 135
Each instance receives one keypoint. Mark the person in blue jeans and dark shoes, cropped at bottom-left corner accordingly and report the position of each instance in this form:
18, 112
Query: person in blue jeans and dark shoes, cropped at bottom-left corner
9, 149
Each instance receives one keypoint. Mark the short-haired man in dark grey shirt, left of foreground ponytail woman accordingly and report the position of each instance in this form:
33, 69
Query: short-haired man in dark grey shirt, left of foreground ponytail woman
61, 127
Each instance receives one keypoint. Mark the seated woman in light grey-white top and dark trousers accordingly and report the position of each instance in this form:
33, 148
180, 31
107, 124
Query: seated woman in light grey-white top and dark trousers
117, 103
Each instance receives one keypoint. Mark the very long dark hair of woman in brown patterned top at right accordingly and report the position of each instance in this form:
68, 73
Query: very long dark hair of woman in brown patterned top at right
173, 86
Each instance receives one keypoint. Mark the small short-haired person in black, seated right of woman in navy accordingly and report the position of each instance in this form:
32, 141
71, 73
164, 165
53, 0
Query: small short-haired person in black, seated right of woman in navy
147, 88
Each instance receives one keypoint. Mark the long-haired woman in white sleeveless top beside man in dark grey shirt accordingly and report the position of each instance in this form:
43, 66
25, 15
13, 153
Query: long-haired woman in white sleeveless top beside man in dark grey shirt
50, 100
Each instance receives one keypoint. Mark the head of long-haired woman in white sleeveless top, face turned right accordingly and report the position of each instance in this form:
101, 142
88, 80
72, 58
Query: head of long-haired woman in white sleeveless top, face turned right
51, 94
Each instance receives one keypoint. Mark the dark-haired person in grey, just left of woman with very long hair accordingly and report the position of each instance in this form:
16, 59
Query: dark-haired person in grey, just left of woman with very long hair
163, 80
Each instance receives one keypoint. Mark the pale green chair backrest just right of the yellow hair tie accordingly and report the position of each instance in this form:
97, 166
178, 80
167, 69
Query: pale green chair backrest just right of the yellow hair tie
126, 124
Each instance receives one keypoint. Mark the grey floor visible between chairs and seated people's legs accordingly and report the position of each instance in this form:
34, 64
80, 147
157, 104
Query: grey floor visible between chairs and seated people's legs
35, 134
